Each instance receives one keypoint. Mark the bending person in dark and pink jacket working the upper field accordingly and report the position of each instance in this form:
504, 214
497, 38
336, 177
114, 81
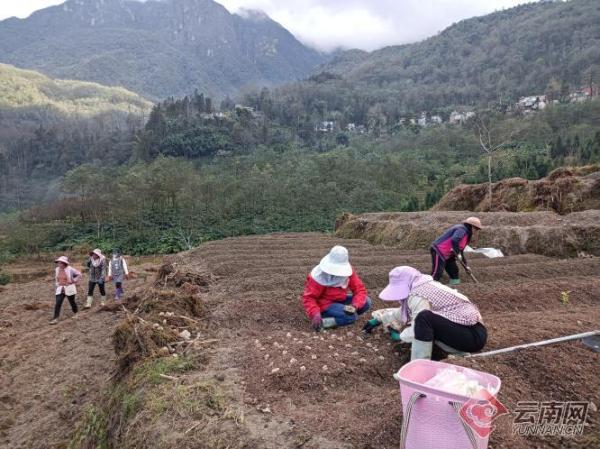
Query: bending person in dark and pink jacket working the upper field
450, 246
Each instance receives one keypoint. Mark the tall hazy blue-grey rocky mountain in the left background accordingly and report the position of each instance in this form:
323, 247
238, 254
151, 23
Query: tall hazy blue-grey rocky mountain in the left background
157, 48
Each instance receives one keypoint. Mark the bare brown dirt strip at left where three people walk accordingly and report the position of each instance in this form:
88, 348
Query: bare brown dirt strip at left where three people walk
49, 374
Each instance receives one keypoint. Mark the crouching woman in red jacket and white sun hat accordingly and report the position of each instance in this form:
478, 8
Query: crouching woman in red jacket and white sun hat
326, 297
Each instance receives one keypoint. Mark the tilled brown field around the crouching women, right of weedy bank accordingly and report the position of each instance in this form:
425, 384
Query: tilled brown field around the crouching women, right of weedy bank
335, 388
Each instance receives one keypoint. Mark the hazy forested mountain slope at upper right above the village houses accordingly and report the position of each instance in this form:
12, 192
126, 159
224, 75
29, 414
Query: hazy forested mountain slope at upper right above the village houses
544, 47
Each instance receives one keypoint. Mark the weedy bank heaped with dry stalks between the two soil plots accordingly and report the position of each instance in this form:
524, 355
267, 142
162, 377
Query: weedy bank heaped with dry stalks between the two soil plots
164, 335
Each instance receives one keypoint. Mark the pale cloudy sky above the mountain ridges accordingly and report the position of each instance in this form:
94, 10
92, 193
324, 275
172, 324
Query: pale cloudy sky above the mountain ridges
327, 24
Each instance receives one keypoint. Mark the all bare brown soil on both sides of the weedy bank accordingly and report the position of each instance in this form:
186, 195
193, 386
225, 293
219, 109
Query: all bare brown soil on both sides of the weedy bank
292, 387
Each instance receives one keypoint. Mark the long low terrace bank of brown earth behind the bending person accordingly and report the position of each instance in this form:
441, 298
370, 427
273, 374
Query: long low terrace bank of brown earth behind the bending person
545, 233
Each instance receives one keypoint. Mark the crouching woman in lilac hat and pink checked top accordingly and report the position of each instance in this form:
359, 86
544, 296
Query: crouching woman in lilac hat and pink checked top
434, 313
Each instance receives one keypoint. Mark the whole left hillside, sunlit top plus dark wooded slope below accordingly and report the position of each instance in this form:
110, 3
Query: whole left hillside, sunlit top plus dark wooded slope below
49, 126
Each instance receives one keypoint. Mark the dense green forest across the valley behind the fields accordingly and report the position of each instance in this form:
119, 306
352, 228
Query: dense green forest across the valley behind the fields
197, 171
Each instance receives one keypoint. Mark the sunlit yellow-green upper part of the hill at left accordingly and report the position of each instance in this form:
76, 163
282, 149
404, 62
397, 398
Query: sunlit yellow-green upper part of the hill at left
29, 99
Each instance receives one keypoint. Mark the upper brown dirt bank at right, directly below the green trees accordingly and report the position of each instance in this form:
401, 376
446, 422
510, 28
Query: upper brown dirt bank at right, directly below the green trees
564, 191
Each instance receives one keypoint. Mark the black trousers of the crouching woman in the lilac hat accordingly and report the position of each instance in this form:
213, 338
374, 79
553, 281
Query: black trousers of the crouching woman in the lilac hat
429, 326
